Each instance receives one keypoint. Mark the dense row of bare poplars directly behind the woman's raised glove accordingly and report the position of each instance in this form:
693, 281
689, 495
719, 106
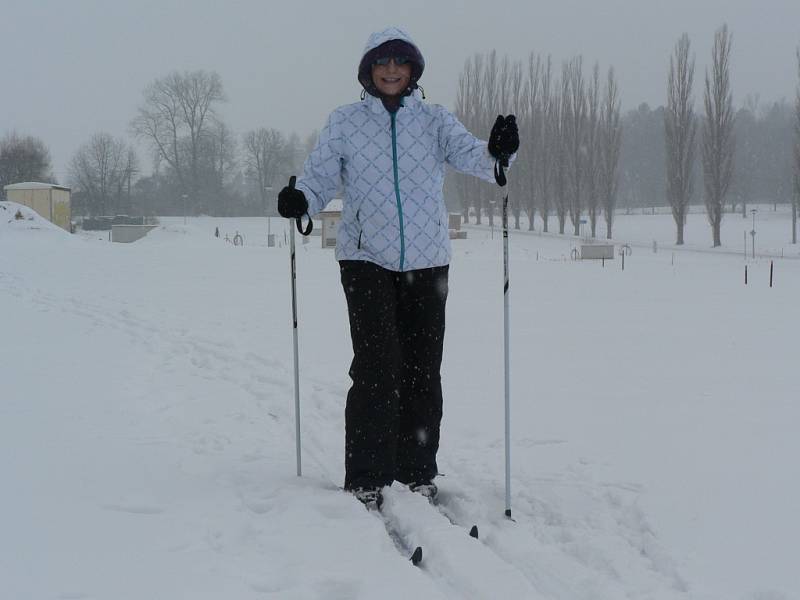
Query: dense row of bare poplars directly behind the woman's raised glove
570, 134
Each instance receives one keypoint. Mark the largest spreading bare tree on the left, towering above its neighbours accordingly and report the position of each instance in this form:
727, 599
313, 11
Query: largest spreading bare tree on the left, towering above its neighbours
177, 111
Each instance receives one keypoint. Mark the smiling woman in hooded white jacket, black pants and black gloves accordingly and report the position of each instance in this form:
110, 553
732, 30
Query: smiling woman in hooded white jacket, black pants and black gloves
388, 153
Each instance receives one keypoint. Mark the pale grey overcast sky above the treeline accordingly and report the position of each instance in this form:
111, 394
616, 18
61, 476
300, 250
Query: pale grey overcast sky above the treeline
71, 68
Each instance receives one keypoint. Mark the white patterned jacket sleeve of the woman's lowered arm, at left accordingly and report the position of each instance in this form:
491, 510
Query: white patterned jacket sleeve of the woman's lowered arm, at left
322, 171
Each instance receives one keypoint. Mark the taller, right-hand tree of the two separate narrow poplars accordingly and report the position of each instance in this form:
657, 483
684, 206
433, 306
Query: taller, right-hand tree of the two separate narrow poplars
718, 142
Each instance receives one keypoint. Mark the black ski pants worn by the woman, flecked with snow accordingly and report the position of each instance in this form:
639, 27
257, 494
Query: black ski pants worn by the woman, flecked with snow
394, 407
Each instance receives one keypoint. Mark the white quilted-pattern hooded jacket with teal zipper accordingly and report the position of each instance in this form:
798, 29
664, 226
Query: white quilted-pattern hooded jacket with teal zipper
391, 167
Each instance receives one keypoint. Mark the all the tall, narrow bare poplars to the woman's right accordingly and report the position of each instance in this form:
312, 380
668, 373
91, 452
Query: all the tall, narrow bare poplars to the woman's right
571, 136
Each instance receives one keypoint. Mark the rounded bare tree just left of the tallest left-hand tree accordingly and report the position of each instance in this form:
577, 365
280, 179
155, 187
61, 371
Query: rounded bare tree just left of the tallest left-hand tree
99, 170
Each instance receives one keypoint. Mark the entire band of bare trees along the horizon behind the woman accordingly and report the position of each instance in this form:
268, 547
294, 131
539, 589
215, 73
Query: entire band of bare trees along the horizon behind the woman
581, 157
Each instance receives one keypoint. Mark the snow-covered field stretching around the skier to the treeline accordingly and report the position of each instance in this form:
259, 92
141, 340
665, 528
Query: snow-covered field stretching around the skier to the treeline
147, 421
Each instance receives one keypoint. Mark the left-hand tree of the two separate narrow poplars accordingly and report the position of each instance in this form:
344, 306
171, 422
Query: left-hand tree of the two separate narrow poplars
680, 127
